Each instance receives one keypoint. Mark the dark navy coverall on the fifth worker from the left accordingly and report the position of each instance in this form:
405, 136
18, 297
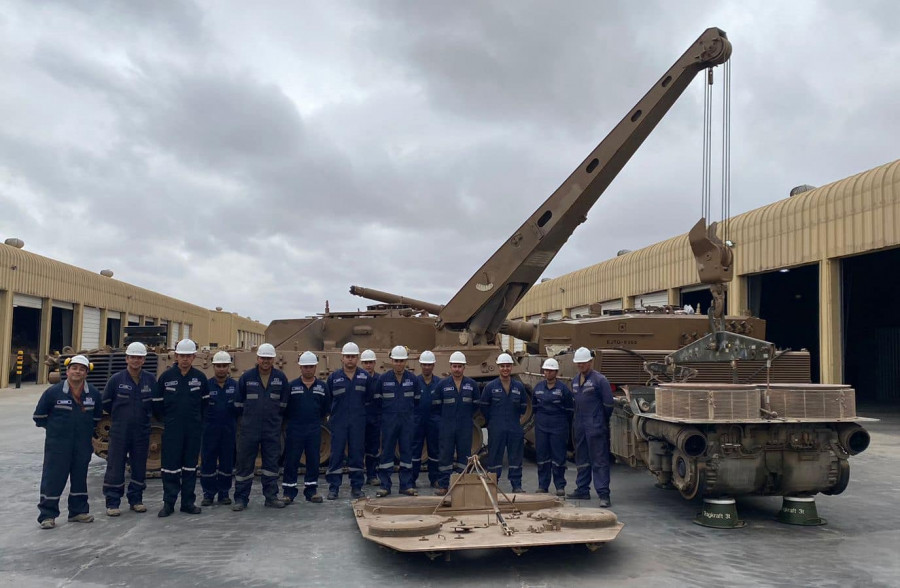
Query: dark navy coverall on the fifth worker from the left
262, 407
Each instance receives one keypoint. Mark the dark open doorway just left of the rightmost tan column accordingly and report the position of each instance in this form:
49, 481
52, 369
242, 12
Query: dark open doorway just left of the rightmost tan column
788, 300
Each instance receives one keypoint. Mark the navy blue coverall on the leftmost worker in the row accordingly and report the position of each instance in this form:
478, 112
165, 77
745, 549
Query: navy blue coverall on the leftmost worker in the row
67, 445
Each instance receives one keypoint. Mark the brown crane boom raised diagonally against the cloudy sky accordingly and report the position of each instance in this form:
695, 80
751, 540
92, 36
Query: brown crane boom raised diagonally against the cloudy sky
485, 301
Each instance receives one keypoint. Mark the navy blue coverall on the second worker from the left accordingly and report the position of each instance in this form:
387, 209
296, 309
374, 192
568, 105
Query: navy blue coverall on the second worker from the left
129, 405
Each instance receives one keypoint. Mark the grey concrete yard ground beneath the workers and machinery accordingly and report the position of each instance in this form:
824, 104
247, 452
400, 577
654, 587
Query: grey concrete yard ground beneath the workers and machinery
319, 545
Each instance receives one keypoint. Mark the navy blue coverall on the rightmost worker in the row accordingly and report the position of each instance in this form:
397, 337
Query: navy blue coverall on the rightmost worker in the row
593, 408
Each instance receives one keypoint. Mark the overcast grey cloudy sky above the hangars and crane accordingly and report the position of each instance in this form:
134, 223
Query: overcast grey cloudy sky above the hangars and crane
265, 159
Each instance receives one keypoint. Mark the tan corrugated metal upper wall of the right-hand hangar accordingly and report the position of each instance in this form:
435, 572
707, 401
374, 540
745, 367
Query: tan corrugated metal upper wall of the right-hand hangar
858, 214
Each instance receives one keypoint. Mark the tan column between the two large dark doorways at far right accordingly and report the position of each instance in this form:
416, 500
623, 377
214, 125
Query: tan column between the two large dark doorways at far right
831, 356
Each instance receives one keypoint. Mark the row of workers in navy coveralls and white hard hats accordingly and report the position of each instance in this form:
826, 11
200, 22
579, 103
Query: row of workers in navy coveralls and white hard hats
369, 415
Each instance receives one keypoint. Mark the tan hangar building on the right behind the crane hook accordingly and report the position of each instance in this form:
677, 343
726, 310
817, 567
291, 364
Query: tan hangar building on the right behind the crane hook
821, 266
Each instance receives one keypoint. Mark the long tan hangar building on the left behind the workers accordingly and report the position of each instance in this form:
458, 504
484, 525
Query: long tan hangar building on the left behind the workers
47, 306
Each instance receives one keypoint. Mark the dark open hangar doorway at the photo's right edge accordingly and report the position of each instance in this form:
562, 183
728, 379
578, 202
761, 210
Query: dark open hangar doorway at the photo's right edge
871, 325
